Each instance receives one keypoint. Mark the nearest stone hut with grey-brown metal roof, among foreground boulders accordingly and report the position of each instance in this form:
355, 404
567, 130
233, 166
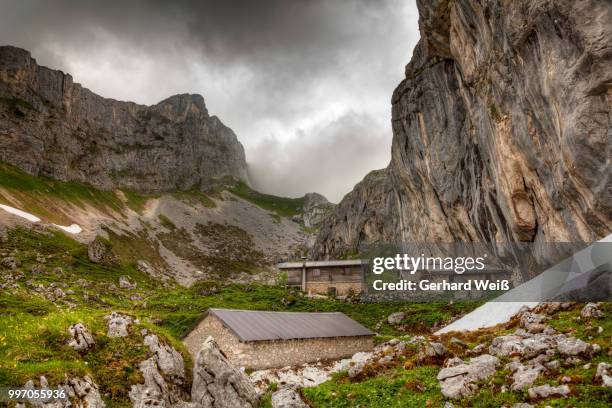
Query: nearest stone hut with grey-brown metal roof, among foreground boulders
255, 339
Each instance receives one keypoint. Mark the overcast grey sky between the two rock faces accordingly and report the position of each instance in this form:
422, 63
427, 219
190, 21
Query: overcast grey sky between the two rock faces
305, 84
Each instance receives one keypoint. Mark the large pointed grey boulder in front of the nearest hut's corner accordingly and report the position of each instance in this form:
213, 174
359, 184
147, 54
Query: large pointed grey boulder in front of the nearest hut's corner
218, 384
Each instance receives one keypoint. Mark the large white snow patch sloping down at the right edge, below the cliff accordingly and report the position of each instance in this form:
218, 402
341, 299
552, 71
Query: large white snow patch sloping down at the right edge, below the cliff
501, 309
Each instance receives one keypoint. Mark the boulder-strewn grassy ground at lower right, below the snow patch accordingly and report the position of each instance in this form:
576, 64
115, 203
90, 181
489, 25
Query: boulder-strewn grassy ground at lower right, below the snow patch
556, 354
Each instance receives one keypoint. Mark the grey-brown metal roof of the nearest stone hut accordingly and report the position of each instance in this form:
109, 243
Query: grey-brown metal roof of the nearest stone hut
251, 325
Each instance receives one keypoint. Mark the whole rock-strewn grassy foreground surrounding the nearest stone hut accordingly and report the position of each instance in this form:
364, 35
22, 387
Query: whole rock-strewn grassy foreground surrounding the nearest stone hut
110, 334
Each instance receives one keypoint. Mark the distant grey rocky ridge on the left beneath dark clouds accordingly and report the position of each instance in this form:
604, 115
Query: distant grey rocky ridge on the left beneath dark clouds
51, 126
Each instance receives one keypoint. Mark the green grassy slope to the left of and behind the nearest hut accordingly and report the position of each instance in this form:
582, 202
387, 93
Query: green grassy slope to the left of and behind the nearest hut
34, 329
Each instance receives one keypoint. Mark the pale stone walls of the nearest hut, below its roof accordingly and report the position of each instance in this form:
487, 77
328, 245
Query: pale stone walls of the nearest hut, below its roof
266, 354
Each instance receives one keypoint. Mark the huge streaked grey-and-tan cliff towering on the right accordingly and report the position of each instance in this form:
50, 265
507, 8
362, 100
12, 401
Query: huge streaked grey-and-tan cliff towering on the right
501, 131
